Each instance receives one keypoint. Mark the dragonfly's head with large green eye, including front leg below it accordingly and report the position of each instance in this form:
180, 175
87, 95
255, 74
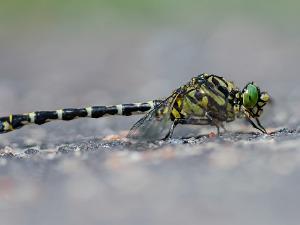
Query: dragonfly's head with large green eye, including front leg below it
253, 101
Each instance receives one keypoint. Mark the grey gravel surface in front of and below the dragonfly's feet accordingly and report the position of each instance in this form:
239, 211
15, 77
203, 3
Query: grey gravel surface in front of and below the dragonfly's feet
245, 178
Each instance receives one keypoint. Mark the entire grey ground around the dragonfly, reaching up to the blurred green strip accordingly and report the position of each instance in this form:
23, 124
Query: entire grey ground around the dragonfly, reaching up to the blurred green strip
74, 173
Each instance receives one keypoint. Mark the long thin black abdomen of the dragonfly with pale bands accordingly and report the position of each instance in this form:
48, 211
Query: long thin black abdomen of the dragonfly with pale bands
13, 122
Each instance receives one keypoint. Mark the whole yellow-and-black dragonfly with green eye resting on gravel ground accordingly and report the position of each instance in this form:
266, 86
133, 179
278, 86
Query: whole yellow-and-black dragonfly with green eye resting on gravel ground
207, 99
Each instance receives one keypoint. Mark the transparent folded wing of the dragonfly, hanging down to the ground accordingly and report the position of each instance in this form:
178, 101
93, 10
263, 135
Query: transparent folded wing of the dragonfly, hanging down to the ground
156, 124
